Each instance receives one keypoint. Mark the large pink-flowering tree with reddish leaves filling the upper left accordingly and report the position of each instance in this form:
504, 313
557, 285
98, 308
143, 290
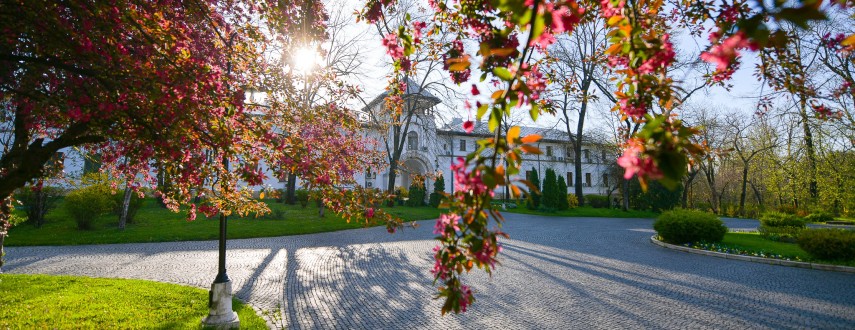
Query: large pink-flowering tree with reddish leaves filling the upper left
163, 82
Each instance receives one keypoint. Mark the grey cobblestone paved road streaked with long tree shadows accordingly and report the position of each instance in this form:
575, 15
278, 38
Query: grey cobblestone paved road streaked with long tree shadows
556, 273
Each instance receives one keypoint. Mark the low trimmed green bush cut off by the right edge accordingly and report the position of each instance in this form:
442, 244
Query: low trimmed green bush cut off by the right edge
828, 244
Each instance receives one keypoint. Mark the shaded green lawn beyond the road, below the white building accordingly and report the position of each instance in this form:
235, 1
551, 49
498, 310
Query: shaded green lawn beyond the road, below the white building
155, 224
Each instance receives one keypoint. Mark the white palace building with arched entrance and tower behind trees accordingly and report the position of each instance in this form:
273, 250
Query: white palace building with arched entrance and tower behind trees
428, 150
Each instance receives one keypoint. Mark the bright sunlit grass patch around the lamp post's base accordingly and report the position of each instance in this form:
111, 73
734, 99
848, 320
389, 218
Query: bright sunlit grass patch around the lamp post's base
73, 302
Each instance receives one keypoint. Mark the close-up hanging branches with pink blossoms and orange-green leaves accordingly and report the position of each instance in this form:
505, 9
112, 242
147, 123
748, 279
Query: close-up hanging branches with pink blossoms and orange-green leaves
509, 34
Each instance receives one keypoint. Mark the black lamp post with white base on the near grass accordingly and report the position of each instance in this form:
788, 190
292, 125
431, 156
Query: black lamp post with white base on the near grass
220, 312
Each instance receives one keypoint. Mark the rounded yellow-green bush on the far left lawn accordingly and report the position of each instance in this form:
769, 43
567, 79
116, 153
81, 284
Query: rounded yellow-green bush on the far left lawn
88, 203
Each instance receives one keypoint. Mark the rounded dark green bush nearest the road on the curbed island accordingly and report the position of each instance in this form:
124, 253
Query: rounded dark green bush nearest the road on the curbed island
681, 226
